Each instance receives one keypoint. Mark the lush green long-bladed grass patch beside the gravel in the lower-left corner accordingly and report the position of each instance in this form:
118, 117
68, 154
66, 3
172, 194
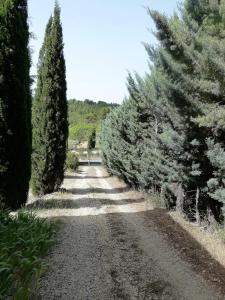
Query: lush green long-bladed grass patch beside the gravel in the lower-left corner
24, 241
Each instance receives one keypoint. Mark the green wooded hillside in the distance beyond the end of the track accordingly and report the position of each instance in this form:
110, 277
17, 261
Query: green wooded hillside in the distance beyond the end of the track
85, 116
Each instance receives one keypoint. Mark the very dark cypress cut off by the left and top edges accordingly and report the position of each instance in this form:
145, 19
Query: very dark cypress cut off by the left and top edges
15, 104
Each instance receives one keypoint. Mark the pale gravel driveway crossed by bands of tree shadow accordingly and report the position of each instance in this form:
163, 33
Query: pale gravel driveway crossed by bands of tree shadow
109, 246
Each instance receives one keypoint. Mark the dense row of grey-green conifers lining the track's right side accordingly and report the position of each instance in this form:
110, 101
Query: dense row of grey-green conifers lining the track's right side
168, 136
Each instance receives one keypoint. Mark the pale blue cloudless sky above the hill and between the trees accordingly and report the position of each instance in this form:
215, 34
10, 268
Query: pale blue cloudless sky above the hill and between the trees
102, 42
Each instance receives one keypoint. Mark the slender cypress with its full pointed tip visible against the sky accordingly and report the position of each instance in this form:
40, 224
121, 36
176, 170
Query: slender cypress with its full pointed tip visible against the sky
50, 126
